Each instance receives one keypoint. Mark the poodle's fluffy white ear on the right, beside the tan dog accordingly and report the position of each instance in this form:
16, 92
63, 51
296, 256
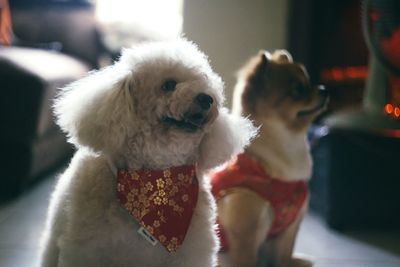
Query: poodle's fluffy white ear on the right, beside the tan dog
229, 135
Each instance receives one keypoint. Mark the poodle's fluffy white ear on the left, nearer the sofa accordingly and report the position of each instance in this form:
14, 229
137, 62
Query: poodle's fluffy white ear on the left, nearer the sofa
92, 110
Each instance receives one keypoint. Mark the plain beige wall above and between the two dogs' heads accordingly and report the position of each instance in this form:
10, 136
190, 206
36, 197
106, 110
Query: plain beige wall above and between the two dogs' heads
231, 31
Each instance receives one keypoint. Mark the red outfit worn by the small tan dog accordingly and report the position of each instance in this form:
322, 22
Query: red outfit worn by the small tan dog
286, 198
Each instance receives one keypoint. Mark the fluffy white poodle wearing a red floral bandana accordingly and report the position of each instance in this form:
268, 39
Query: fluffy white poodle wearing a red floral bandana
146, 130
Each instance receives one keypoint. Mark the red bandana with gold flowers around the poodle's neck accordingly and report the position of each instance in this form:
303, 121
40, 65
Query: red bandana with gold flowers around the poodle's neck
162, 201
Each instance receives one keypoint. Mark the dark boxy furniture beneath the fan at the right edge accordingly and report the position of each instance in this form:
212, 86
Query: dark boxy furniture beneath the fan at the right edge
356, 178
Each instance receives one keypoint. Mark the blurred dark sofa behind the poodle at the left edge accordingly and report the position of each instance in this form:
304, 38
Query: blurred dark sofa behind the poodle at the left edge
54, 44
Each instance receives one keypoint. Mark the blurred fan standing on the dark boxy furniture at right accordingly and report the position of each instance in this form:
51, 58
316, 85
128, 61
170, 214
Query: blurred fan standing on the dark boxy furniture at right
381, 102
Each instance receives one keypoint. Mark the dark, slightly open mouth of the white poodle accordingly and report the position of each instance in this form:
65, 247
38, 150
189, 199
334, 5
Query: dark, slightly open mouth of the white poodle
191, 122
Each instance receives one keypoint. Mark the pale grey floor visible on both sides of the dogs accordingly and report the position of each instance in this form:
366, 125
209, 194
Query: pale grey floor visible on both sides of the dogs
22, 220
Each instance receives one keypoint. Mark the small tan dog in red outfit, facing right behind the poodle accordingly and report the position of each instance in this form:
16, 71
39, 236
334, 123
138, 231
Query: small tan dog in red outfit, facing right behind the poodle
262, 195
